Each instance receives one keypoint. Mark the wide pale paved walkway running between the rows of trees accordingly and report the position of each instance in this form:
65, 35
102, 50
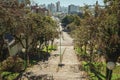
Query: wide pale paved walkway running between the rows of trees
70, 69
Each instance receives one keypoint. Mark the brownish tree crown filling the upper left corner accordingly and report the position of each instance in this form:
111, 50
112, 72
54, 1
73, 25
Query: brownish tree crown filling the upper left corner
11, 12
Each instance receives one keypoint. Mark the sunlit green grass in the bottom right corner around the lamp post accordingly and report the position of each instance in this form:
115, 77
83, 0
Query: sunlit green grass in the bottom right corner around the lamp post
100, 72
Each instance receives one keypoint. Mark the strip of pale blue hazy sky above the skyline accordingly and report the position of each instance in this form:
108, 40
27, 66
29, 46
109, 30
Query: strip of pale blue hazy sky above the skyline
68, 2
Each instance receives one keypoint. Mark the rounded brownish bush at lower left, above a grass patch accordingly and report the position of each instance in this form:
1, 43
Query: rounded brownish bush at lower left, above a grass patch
13, 64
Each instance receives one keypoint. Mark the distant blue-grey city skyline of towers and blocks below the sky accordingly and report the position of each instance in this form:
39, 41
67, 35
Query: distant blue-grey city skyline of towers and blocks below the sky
56, 8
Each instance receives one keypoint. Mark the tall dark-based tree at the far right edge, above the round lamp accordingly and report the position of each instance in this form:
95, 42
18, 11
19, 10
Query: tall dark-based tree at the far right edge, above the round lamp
109, 34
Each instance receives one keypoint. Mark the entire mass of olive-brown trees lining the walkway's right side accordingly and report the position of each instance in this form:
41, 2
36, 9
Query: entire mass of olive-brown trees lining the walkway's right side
102, 30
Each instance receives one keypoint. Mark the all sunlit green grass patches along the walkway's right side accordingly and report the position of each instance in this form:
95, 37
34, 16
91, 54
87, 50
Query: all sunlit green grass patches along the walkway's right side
99, 69
